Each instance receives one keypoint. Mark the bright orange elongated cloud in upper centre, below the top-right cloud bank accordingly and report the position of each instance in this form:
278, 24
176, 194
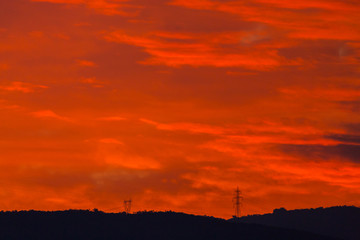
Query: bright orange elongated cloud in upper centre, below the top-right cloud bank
201, 51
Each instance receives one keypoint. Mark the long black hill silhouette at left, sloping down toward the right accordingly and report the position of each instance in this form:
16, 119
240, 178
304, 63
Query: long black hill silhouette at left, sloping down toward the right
96, 225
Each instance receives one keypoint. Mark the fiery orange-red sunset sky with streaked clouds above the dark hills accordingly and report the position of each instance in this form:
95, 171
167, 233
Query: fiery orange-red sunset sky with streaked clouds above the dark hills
175, 103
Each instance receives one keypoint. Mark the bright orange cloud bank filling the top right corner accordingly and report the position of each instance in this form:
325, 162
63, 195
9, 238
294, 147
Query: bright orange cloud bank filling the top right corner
298, 19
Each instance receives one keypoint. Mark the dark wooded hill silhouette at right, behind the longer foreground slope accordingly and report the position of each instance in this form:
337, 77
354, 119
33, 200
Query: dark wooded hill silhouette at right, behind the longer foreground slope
342, 222
